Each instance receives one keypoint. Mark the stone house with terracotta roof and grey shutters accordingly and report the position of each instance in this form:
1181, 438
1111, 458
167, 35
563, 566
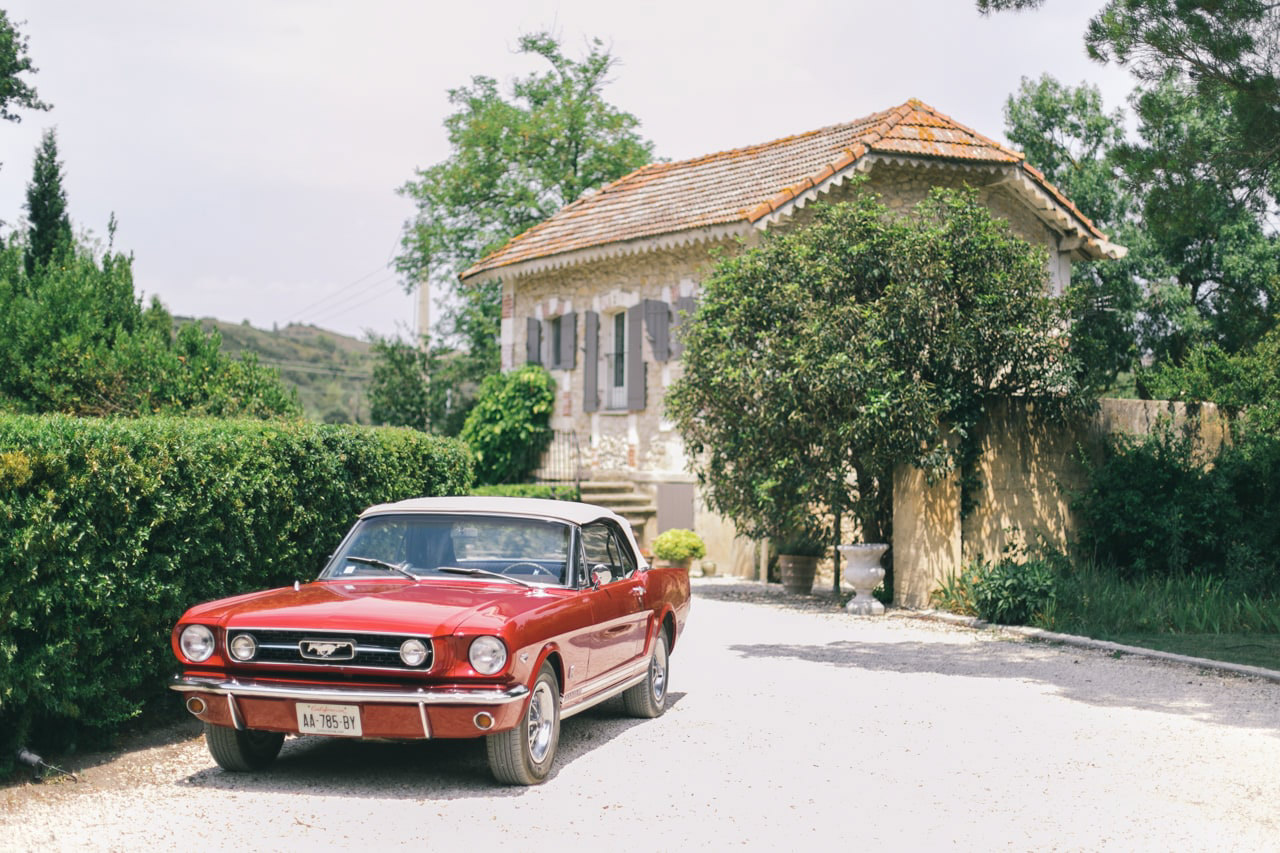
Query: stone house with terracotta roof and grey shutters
597, 293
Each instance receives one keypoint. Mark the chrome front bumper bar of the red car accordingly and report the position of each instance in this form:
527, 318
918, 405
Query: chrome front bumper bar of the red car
232, 688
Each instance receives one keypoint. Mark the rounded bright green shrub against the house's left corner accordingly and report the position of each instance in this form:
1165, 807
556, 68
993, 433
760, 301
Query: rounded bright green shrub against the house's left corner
509, 428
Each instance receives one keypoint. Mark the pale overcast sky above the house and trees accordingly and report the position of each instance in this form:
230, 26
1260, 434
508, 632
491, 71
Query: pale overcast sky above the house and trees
252, 149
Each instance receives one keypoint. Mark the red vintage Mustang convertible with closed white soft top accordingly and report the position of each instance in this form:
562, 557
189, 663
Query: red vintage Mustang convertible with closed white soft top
441, 618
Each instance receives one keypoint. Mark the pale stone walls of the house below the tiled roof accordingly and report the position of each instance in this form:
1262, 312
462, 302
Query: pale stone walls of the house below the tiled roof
621, 441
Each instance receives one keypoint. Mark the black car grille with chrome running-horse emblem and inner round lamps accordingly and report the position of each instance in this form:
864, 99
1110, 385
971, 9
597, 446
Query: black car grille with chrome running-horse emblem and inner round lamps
330, 649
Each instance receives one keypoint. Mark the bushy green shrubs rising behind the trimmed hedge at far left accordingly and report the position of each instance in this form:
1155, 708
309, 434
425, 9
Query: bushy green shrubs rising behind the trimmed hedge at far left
76, 340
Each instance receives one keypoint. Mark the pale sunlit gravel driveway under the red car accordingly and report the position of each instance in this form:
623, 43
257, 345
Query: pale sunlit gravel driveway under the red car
789, 729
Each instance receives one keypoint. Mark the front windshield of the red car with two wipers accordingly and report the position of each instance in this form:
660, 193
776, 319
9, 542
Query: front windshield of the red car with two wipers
524, 550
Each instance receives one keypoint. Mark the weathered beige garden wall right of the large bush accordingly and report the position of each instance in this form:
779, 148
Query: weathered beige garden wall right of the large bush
1027, 471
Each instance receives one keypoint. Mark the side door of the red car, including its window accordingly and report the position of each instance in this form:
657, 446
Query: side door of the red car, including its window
618, 604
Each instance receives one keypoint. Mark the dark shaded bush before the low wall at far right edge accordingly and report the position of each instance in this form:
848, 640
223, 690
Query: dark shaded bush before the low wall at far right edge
1153, 509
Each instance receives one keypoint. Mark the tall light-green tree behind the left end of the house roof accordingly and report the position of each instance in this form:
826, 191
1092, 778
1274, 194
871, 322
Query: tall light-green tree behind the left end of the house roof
516, 159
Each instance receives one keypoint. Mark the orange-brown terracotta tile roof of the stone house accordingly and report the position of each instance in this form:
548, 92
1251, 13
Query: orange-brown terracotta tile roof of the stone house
749, 184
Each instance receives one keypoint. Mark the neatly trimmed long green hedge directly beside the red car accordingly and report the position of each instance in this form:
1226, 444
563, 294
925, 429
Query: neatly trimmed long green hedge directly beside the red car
109, 530
